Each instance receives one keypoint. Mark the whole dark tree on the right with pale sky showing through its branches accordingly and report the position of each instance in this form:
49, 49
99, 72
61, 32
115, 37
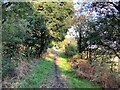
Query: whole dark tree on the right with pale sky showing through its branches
102, 30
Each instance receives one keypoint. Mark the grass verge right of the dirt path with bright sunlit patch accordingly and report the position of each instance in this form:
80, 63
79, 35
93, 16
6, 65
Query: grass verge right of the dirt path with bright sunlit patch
72, 80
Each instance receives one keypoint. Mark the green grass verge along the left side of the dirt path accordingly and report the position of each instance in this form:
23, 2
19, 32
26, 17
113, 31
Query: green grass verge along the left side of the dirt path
37, 74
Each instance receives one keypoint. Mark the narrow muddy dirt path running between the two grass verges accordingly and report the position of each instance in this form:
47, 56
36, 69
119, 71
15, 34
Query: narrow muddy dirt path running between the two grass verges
53, 79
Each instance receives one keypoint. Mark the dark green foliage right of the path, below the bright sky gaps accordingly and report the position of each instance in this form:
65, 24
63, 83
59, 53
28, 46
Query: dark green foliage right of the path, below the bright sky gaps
102, 32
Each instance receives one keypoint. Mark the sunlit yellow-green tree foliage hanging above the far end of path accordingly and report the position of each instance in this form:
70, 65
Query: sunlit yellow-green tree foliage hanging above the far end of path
58, 16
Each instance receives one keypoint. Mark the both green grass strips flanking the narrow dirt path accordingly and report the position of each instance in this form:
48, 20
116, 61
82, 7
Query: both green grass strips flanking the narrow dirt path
45, 69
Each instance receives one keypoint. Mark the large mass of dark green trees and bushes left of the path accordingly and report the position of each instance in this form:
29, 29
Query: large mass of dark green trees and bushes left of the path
24, 34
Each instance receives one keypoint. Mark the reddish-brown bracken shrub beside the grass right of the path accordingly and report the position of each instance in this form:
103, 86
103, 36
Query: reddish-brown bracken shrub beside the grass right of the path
100, 75
